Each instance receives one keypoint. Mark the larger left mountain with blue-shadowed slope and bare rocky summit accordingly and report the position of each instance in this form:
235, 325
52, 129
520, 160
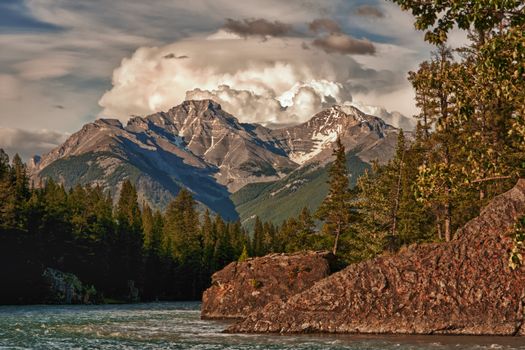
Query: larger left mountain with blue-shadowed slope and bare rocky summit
195, 145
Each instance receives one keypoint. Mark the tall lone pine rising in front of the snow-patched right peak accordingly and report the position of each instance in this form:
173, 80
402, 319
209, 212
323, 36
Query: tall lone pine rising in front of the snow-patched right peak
336, 209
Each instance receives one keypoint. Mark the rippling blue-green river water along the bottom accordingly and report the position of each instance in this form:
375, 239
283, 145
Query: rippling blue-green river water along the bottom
178, 326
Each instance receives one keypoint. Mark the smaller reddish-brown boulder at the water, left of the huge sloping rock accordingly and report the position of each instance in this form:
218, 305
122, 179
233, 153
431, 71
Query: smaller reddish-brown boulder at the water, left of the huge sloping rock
243, 287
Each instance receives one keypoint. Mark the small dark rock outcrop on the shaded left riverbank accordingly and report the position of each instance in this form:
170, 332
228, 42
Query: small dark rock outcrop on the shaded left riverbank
66, 288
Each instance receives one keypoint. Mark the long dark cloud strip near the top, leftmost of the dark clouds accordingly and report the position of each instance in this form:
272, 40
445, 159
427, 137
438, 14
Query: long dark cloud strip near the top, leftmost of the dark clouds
258, 27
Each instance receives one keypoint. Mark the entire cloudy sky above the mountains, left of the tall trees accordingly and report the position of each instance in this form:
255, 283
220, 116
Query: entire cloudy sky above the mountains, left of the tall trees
64, 63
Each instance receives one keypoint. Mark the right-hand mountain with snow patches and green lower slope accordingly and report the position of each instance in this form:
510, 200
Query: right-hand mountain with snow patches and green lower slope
310, 144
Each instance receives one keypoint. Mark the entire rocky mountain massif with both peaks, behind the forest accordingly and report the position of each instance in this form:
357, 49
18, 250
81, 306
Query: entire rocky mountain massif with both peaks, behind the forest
231, 167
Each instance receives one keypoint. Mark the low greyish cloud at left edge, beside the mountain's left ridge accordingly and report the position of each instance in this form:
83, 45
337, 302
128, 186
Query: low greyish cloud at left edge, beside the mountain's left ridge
28, 143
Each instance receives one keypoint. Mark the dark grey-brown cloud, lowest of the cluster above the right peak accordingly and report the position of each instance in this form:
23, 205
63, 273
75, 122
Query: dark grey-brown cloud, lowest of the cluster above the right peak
344, 44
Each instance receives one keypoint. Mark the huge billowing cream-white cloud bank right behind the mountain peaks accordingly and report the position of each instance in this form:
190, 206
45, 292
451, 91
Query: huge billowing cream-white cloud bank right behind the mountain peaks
270, 82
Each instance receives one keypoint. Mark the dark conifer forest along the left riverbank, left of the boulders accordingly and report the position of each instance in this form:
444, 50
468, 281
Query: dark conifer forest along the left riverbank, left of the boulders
107, 245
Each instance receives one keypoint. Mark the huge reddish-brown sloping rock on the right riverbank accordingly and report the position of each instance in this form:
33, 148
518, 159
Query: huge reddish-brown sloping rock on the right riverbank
460, 287
